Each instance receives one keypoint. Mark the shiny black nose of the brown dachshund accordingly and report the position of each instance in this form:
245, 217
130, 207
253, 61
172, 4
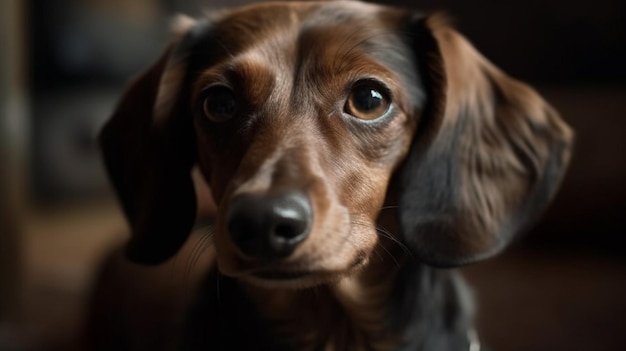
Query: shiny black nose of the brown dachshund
269, 226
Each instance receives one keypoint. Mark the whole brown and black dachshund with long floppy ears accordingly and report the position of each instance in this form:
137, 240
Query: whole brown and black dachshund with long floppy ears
353, 151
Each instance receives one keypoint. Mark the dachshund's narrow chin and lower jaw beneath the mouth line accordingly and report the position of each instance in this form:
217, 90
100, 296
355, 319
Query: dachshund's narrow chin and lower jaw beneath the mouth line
282, 278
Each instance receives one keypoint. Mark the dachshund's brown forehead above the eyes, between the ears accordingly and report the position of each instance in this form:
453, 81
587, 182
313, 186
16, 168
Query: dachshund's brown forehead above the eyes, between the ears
304, 44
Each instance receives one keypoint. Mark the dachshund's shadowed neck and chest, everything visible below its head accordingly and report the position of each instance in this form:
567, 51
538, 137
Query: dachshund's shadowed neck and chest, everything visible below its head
391, 305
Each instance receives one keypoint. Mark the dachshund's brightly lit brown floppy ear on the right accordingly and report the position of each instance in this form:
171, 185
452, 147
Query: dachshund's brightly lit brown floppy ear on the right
487, 157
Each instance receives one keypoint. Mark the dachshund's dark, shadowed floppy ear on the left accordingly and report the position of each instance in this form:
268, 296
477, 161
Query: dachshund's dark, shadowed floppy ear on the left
148, 149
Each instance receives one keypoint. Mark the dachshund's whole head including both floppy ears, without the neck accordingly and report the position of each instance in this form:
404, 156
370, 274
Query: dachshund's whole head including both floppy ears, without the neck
301, 115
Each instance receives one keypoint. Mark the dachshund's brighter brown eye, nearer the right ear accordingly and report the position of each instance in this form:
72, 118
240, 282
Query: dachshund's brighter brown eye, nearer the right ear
367, 101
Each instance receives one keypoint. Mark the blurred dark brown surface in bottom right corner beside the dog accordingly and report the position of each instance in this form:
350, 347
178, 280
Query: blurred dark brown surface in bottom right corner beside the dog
551, 301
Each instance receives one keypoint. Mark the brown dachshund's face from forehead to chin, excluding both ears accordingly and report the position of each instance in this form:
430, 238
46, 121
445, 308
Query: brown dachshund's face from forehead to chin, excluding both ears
301, 118
